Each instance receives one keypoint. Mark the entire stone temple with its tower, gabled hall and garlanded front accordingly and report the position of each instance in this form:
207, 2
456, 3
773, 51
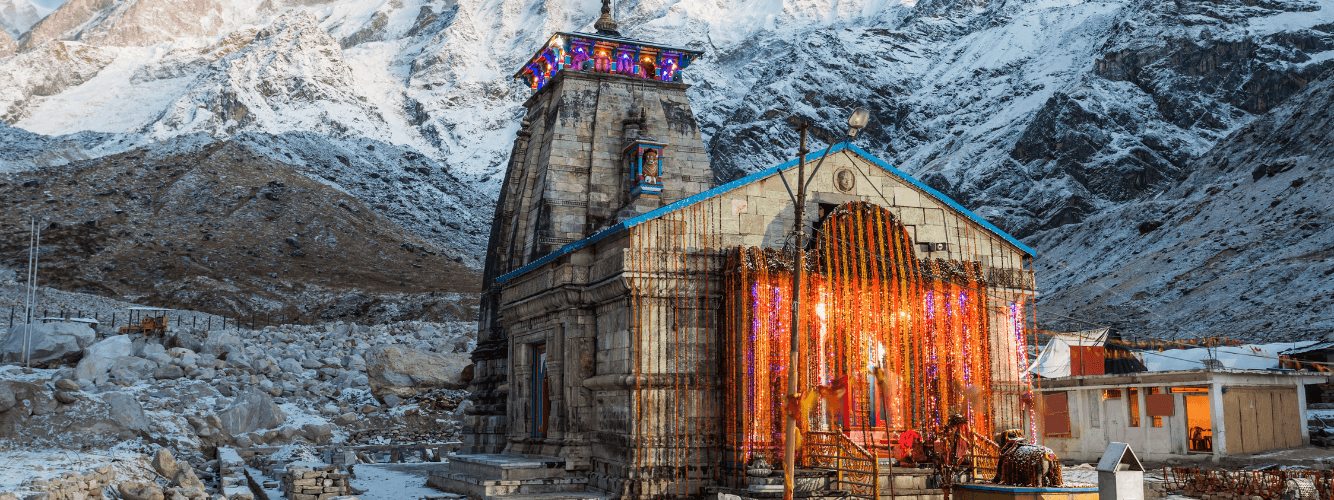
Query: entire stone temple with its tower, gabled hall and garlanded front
636, 319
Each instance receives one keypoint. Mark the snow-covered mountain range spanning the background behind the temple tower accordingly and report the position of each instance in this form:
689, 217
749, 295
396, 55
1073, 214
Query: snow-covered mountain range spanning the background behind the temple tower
1035, 114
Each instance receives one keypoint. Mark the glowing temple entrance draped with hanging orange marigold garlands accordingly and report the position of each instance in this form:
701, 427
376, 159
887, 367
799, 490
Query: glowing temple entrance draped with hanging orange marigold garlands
889, 343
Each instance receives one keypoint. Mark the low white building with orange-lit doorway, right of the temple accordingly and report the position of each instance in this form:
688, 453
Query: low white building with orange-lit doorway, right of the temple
1189, 414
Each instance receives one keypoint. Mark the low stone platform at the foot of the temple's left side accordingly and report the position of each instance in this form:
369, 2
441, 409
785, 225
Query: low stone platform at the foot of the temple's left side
512, 477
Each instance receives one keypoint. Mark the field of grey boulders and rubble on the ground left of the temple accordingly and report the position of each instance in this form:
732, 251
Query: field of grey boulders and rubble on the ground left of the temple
205, 394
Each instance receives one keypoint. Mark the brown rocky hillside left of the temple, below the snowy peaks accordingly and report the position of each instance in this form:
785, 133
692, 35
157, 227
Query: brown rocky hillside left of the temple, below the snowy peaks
227, 230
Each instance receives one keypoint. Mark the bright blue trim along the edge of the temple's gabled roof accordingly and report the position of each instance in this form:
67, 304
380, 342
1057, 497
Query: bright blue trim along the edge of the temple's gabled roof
738, 183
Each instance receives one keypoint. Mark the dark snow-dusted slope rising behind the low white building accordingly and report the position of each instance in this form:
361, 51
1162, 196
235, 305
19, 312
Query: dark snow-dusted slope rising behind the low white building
1240, 249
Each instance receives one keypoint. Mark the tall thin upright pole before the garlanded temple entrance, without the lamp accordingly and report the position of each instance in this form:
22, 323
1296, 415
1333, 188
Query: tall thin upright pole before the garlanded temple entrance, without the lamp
798, 266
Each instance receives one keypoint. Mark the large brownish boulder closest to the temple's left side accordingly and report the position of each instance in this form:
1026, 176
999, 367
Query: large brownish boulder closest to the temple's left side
405, 373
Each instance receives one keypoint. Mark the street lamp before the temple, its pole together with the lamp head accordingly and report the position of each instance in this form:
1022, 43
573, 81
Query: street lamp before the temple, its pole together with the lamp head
856, 123
